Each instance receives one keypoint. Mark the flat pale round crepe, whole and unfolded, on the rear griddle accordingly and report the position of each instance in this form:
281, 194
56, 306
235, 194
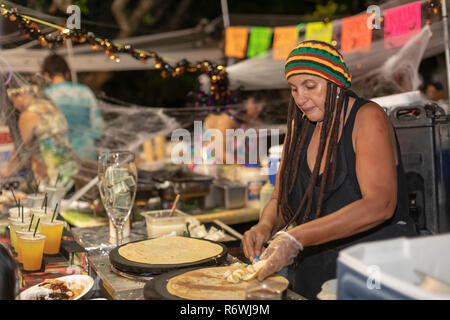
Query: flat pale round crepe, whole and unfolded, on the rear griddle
170, 250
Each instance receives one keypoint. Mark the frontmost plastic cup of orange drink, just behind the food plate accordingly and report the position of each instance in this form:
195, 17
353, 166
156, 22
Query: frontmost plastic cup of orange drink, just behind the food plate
32, 251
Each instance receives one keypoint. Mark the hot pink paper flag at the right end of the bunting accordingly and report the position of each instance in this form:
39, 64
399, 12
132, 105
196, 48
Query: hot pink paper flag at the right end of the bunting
401, 23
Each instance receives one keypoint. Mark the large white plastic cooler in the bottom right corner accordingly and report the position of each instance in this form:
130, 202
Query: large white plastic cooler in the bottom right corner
401, 268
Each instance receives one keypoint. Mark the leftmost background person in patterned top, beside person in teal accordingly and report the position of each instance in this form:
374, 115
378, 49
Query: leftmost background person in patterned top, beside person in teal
45, 135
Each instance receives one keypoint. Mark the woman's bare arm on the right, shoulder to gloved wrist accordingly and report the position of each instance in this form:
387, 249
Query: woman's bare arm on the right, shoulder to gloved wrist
377, 178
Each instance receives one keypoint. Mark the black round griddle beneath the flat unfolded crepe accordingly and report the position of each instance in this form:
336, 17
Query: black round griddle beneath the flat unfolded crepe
143, 268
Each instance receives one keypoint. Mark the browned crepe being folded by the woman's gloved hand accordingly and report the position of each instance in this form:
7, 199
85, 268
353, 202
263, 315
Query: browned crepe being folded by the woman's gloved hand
211, 284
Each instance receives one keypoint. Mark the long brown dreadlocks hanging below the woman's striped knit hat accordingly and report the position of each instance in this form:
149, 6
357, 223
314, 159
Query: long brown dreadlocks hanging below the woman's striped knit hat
295, 145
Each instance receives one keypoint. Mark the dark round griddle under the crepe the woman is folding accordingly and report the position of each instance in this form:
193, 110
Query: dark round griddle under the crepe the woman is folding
156, 289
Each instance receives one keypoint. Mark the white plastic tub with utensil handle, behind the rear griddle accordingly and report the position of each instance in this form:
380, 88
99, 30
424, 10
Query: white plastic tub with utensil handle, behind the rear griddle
159, 223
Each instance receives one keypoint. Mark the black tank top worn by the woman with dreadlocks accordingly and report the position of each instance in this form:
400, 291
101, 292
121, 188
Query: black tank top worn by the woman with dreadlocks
317, 264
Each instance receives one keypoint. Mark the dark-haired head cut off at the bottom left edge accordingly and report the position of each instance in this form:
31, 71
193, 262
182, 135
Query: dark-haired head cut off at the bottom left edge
9, 275
